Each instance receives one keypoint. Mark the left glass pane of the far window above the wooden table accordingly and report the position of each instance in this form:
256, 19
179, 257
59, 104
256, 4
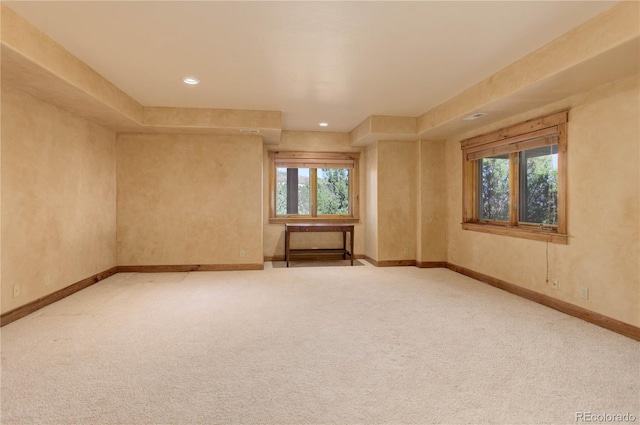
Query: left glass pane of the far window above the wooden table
292, 191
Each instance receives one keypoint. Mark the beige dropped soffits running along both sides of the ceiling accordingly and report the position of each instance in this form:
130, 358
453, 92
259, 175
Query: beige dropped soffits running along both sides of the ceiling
34, 62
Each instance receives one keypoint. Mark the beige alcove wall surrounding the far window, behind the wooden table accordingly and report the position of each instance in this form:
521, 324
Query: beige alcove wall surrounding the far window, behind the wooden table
309, 141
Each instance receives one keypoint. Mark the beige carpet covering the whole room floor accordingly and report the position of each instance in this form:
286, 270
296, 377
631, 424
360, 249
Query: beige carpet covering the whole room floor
310, 345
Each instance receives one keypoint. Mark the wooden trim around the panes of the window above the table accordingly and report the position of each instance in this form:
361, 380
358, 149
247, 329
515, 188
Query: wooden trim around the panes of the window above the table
313, 160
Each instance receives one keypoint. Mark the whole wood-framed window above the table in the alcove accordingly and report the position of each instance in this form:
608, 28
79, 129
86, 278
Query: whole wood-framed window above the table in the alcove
313, 186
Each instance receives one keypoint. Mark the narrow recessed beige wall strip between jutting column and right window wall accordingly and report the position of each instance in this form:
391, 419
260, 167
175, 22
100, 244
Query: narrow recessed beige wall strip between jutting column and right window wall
431, 243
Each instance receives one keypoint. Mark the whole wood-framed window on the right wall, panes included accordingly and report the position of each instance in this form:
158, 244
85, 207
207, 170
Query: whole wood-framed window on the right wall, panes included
514, 180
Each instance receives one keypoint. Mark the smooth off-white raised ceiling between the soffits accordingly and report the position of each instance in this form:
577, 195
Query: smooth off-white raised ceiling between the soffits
315, 61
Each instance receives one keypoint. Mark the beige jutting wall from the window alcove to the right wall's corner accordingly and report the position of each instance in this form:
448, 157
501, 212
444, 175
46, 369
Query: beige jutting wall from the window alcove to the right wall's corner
405, 186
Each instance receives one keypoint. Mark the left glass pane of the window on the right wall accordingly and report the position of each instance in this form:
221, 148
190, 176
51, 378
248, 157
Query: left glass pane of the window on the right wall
494, 188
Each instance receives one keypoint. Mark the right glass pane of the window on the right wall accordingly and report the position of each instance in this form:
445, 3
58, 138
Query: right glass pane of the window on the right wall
539, 185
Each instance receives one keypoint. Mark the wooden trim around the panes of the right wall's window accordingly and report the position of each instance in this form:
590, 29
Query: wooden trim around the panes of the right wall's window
512, 140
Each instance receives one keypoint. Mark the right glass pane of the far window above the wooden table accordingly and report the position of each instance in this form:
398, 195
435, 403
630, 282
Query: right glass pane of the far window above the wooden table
333, 191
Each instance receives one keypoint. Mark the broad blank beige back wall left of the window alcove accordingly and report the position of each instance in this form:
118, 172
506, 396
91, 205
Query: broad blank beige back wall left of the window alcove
189, 199
